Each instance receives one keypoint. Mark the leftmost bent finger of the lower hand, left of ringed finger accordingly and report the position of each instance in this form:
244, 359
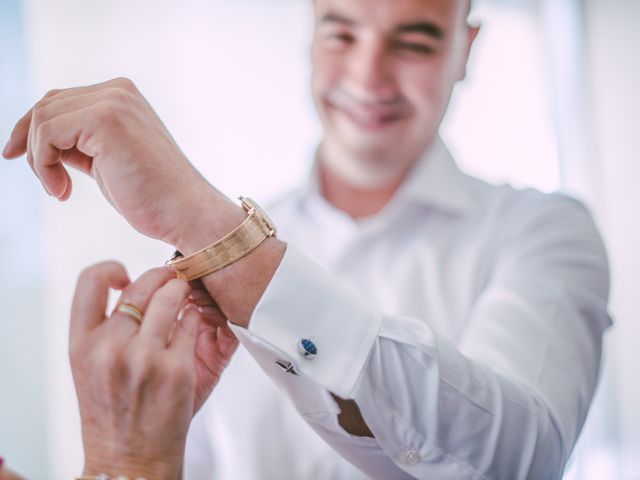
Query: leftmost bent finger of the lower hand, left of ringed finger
92, 291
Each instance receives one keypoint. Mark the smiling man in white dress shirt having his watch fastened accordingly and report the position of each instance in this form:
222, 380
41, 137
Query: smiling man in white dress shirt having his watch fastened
454, 329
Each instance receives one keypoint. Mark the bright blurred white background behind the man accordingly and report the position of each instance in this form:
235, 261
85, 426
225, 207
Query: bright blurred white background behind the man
550, 102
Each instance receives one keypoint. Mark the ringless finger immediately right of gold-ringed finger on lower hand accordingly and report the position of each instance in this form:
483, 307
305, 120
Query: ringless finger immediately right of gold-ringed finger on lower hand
163, 311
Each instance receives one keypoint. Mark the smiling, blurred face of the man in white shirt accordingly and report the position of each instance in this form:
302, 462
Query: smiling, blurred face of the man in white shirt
384, 71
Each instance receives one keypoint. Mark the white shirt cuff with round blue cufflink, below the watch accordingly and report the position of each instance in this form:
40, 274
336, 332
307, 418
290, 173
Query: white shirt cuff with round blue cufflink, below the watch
303, 301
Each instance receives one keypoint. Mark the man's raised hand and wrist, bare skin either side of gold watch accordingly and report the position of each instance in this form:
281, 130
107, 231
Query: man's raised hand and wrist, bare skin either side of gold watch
110, 132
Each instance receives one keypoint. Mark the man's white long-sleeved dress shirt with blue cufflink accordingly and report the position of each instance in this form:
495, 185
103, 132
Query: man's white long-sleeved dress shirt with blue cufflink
464, 319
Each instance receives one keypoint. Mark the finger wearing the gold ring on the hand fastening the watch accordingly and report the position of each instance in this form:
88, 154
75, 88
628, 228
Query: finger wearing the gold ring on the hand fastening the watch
138, 294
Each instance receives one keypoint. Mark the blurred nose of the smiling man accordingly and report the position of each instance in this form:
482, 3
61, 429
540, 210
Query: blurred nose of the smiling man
370, 73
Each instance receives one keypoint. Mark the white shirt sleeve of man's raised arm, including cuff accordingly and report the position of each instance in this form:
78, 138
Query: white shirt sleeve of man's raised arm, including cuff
507, 402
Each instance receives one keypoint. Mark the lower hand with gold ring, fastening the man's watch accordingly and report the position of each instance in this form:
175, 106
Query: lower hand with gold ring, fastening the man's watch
138, 383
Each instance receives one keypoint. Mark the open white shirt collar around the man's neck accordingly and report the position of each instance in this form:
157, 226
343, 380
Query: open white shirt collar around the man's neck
435, 181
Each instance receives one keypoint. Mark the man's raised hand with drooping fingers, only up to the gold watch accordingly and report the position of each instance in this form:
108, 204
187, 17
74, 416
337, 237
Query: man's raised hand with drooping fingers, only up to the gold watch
110, 132
